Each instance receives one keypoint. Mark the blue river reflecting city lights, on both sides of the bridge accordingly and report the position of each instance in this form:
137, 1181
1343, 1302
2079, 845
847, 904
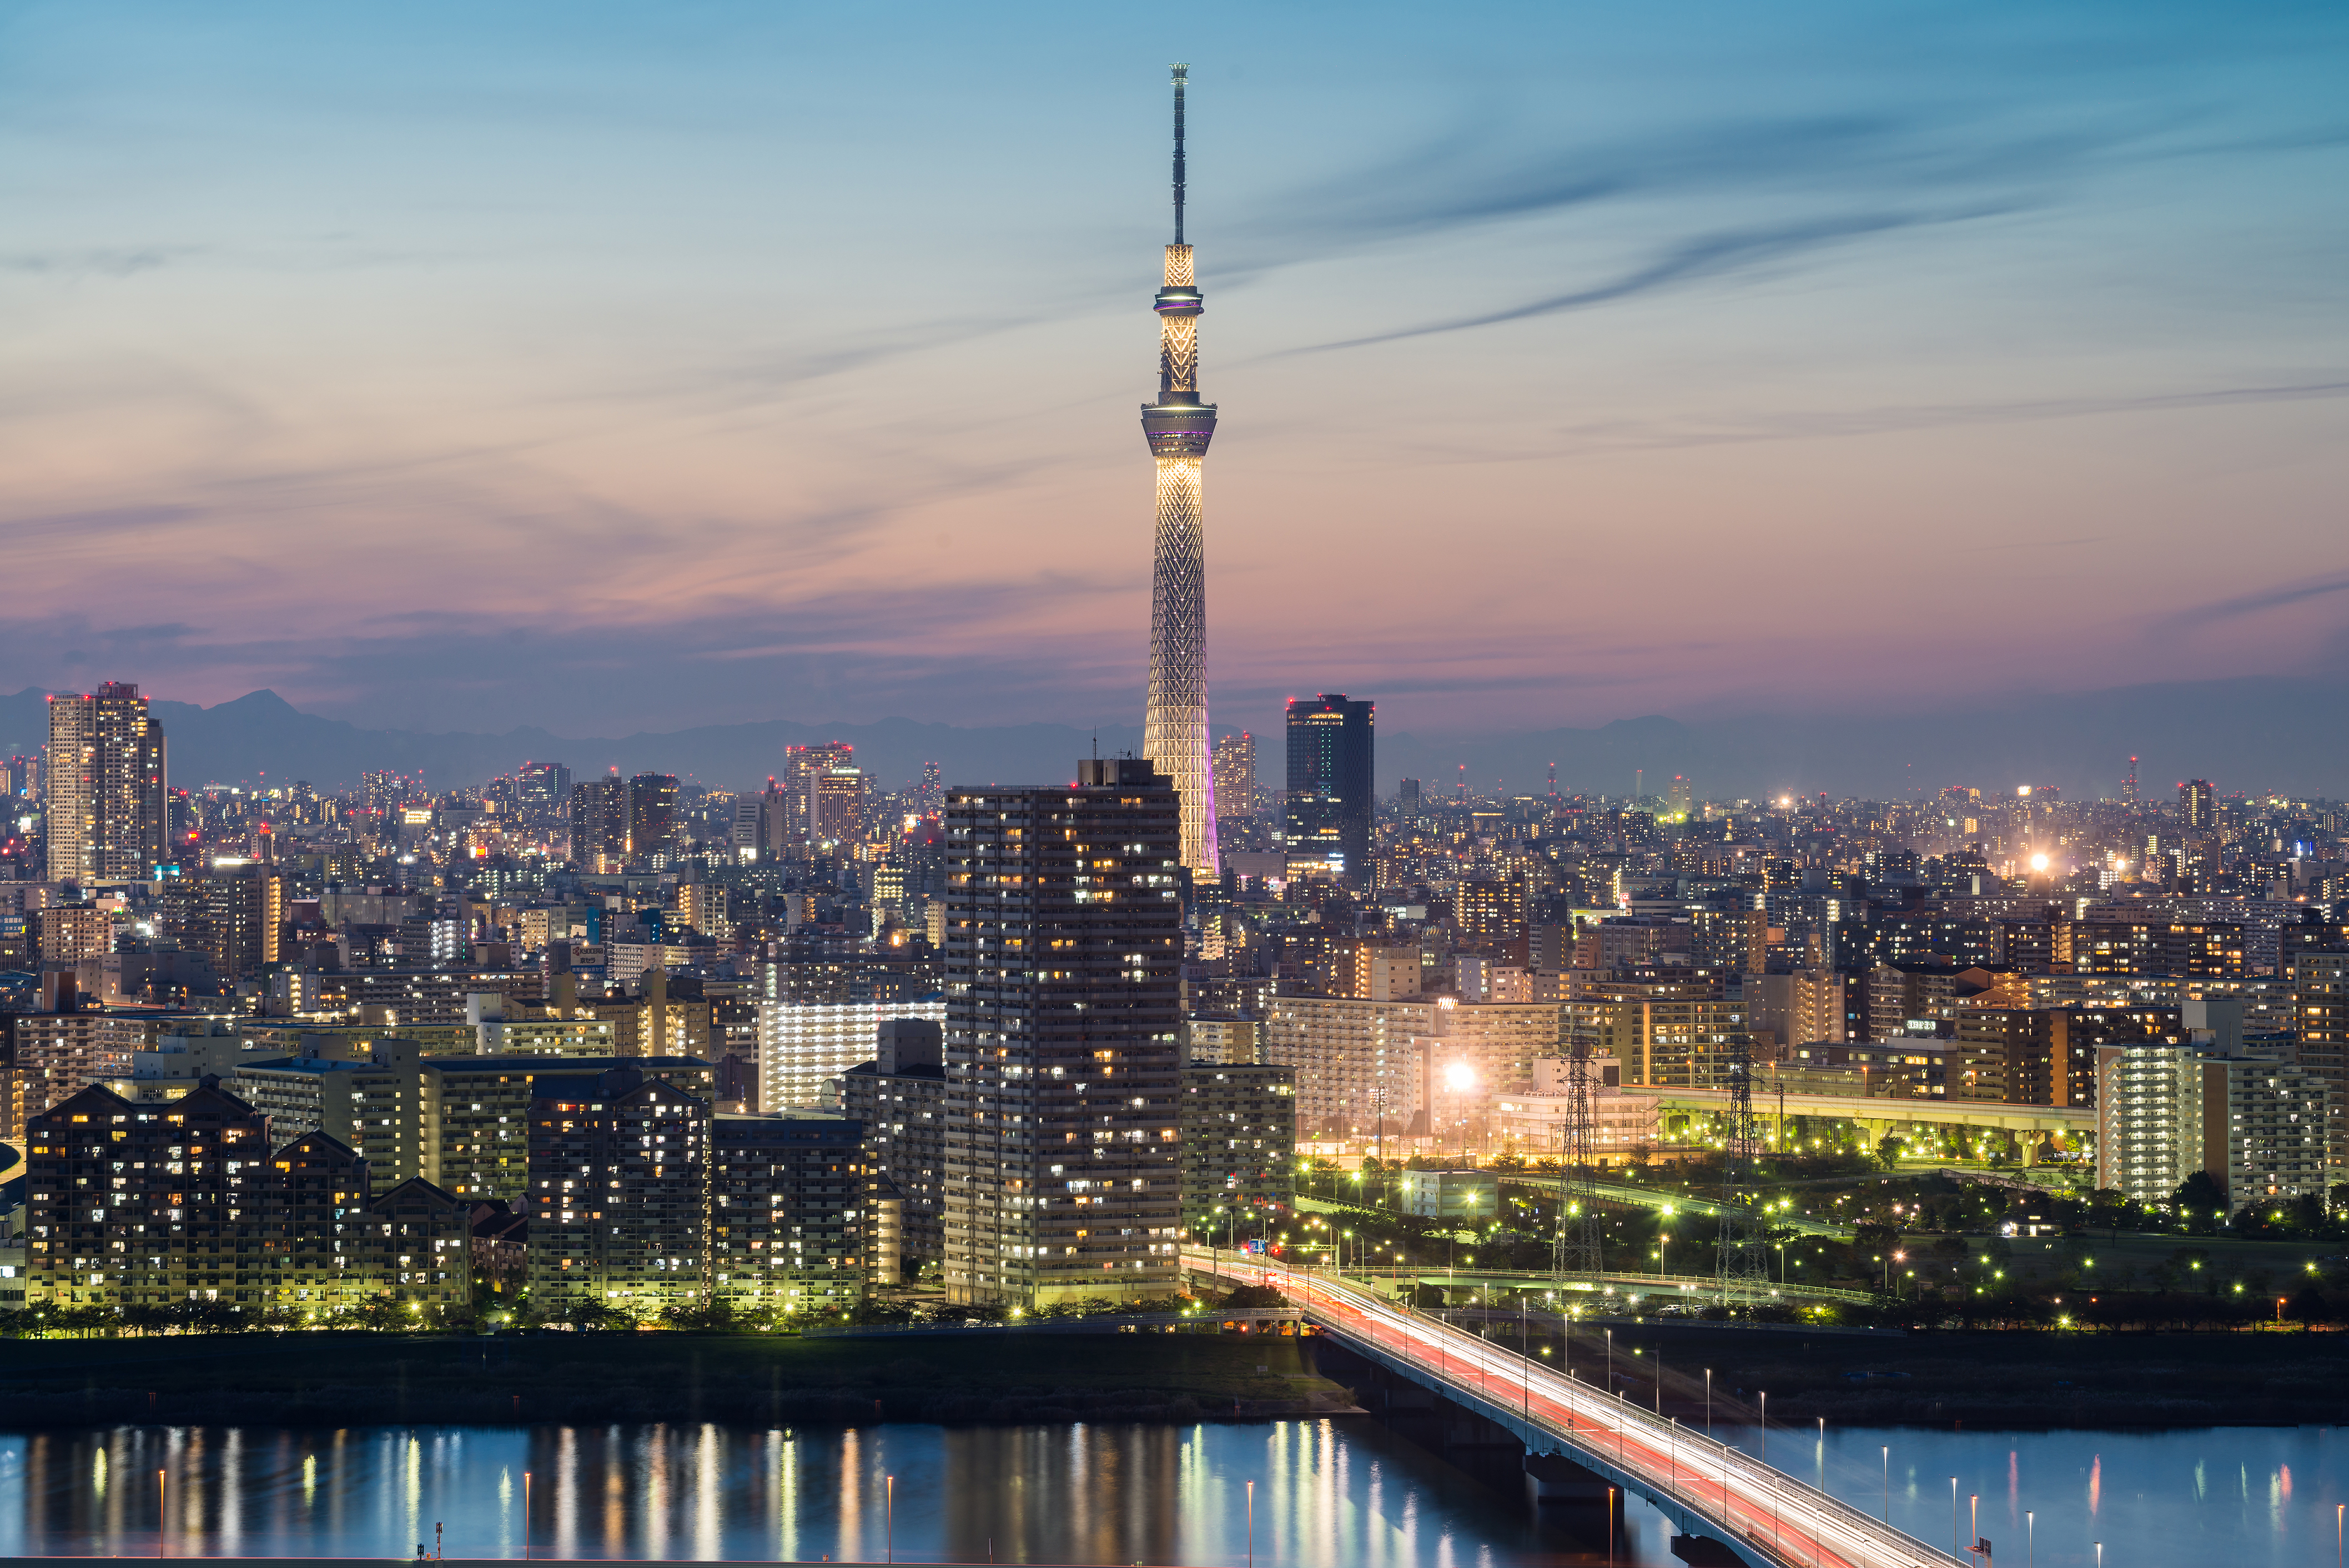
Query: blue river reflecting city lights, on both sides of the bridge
1328, 1494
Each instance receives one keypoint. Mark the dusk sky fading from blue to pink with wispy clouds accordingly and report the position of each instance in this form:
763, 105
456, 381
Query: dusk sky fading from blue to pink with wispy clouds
631, 368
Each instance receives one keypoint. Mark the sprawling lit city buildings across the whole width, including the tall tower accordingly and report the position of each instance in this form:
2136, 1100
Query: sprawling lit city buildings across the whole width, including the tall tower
624, 1050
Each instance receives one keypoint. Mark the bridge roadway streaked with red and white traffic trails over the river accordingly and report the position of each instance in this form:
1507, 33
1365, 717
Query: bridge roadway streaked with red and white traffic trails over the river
1711, 1489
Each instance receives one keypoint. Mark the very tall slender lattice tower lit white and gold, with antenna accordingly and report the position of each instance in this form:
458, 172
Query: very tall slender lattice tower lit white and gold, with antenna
1180, 427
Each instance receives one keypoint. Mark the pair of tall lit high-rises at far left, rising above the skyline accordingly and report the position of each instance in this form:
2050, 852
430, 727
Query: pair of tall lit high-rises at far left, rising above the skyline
107, 810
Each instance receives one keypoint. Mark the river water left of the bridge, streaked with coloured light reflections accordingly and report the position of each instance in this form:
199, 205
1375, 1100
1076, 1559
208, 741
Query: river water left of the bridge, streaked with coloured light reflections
1328, 1496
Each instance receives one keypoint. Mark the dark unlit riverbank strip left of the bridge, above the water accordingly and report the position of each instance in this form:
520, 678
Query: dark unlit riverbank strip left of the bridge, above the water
978, 1376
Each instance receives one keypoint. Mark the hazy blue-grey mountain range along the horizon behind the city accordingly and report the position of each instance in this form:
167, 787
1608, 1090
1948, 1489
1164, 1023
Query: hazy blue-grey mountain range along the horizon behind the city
2244, 735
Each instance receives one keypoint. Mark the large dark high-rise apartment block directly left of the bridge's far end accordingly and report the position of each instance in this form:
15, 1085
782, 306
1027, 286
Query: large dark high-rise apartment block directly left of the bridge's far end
1063, 1017
